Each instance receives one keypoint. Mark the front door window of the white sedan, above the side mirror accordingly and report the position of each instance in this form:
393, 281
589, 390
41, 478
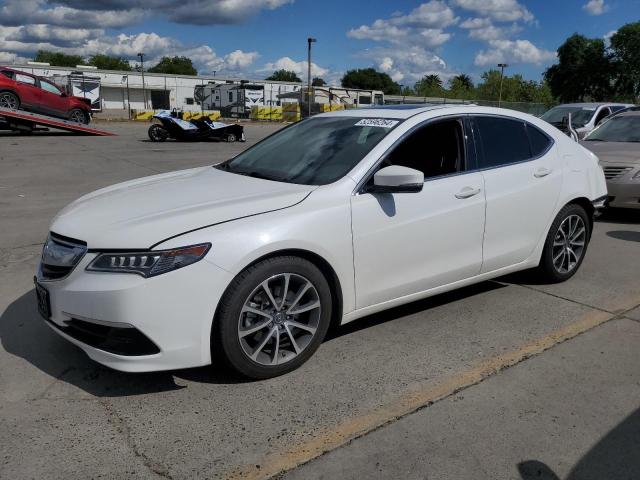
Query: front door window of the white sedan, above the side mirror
436, 149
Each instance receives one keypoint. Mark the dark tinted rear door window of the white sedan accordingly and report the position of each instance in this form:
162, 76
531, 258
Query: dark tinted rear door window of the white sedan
503, 141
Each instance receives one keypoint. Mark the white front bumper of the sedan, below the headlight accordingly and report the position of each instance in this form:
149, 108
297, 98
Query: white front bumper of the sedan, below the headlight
108, 315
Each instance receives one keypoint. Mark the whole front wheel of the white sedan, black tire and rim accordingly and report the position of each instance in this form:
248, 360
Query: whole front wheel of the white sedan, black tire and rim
273, 317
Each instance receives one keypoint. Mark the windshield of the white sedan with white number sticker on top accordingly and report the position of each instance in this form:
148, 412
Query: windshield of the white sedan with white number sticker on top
316, 151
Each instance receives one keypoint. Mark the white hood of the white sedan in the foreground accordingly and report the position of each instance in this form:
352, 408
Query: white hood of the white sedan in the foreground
140, 213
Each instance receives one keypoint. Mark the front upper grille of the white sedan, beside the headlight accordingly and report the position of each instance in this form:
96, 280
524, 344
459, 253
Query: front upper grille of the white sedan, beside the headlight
60, 255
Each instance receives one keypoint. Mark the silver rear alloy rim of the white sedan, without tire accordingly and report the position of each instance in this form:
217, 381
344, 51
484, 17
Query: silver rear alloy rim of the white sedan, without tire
569, 243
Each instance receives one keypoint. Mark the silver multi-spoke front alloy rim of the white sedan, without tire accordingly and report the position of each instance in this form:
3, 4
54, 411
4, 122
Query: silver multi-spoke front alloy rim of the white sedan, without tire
279, 319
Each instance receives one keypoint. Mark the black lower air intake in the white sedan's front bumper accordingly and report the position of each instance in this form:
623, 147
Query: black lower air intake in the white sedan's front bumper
121, 341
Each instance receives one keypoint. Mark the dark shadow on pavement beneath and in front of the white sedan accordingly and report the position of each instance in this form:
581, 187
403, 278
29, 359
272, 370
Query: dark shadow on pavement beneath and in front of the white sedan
23, 333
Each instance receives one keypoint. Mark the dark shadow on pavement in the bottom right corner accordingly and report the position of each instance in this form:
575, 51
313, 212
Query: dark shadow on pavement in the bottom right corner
615, 456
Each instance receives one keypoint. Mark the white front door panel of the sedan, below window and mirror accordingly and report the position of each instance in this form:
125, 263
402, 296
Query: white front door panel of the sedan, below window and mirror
406, 243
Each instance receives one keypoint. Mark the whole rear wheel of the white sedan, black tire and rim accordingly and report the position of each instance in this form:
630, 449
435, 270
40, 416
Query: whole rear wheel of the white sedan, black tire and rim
566, 244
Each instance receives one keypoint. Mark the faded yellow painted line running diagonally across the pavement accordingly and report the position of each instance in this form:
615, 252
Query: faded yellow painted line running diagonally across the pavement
331, 438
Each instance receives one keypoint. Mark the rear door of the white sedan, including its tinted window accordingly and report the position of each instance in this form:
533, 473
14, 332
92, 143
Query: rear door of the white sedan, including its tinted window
522, 188
